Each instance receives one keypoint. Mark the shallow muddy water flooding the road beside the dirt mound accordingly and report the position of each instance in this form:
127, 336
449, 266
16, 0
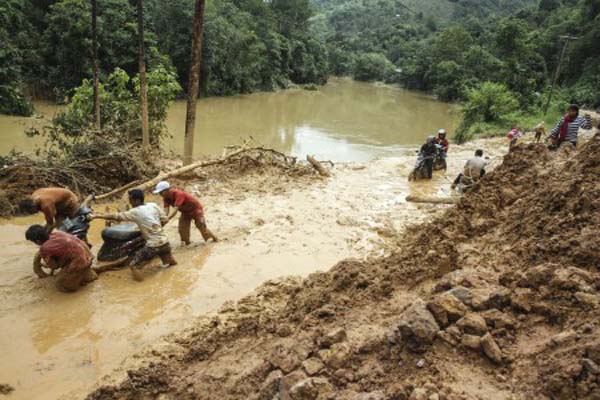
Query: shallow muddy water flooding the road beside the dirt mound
58, 345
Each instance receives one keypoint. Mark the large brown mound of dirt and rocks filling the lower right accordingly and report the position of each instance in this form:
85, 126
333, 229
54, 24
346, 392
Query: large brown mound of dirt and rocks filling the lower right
498, 298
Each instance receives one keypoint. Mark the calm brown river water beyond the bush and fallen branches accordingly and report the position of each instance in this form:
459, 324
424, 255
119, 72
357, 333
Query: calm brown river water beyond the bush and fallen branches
342, 121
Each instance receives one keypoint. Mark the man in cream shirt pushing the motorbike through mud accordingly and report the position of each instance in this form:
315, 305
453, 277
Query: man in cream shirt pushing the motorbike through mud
150, 219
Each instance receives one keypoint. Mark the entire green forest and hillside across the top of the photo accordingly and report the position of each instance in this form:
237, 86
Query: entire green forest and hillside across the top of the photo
481, 53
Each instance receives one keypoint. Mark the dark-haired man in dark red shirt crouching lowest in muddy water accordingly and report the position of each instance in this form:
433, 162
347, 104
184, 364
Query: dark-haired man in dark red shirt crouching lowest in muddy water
66, 252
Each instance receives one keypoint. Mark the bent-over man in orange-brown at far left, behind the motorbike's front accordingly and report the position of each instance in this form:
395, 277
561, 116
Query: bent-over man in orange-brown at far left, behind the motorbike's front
56, 204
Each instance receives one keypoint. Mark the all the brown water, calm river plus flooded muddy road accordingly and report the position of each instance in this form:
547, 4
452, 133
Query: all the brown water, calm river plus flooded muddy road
56, 345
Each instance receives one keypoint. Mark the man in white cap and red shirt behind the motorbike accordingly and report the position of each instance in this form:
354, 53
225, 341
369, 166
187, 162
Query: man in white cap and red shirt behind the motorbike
190, 209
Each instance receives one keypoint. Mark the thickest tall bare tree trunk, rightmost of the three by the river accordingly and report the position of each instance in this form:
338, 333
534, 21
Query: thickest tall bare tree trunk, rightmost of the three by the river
194, 82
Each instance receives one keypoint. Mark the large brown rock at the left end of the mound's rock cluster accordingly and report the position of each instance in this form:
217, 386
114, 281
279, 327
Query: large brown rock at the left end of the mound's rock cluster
417, 326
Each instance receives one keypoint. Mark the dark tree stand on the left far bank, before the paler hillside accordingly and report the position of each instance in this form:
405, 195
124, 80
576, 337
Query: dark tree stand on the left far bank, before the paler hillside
249, 45
